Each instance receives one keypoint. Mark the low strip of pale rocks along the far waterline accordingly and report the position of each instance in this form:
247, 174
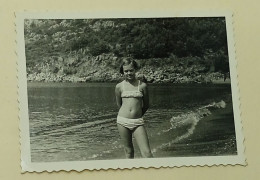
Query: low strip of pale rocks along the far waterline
149, 75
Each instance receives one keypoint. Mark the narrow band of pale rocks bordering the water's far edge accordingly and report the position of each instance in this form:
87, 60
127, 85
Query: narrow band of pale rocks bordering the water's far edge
151, 77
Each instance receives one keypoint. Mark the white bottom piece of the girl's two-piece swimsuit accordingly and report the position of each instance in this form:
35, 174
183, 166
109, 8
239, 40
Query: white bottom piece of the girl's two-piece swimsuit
130, 123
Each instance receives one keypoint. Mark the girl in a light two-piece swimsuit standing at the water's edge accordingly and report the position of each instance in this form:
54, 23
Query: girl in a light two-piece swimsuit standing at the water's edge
133, 101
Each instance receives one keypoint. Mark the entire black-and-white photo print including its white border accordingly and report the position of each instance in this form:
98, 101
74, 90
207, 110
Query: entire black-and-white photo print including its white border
157, 90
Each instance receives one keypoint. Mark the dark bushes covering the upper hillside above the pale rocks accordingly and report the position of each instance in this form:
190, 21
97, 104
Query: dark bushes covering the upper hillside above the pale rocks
141, 38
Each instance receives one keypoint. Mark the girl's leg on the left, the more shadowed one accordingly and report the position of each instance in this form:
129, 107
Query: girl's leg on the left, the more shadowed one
126, 136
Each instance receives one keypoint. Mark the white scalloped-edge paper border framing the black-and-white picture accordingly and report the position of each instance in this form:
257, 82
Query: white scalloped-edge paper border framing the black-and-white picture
28, 166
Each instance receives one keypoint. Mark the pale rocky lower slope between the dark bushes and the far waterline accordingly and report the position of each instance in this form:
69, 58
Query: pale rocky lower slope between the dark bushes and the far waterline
104, 68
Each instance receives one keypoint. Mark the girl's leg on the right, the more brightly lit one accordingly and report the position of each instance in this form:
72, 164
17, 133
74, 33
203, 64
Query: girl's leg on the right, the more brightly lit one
142, 141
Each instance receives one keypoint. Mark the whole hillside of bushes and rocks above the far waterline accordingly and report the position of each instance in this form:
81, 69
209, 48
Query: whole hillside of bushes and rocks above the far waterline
168, 49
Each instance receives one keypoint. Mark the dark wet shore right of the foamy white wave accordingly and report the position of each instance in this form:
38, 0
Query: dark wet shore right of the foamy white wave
210, 138
